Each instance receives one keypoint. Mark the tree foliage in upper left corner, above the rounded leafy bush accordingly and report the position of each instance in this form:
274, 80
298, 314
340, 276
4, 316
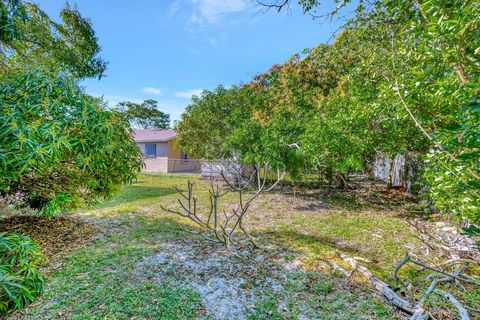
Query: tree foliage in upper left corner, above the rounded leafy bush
29, 38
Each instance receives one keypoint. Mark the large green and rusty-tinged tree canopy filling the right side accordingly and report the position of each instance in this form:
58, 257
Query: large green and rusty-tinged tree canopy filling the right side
402, 77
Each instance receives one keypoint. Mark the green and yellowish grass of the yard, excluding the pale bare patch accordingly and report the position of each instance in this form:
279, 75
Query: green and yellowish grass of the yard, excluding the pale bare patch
98, 282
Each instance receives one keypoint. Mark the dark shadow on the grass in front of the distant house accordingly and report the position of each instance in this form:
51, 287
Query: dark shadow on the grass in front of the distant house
135, 193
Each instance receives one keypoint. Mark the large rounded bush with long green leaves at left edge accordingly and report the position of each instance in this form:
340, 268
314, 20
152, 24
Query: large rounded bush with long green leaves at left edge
60, 148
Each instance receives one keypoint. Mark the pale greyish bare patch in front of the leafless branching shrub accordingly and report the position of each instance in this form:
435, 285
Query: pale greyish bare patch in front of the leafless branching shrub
228, 281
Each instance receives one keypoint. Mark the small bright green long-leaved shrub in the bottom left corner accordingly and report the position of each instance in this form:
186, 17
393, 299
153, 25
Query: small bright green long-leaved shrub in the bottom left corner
20, 280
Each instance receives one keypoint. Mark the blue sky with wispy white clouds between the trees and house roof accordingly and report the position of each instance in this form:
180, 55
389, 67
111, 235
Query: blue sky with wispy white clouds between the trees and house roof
168, 50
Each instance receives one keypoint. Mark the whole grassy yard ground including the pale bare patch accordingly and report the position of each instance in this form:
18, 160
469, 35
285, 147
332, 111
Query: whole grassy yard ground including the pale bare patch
141, 266
